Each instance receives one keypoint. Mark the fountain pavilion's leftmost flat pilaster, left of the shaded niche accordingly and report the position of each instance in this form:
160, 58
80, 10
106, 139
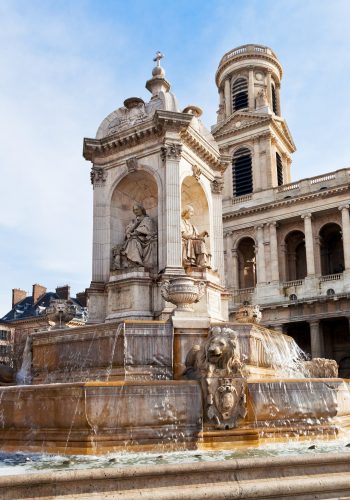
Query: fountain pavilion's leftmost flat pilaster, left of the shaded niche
101, 229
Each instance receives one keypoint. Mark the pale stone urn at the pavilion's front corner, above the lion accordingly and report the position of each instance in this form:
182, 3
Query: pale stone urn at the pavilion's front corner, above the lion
183, 292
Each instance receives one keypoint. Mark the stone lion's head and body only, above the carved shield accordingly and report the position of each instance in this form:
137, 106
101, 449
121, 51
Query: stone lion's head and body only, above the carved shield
220, 353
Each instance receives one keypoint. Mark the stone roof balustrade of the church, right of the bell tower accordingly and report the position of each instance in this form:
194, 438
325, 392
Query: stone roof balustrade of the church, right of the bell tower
311, 184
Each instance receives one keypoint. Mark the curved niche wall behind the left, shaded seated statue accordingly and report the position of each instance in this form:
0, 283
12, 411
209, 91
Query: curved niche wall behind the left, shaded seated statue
136, 187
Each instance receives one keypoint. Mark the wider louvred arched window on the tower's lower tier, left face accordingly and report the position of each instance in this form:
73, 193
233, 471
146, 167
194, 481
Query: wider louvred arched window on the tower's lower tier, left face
242, 172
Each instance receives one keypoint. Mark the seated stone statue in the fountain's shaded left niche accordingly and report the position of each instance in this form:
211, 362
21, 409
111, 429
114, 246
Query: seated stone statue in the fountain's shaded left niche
140, 244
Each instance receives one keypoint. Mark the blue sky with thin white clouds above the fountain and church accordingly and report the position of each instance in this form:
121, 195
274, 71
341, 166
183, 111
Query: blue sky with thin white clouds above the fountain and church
65, 65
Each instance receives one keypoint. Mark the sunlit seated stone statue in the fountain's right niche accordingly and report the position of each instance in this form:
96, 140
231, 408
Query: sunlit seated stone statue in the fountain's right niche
194, 250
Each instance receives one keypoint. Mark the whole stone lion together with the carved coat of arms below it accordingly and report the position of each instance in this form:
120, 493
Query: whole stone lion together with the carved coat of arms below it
217, 365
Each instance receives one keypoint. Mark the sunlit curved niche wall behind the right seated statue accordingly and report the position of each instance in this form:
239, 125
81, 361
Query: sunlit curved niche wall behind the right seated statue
193, 194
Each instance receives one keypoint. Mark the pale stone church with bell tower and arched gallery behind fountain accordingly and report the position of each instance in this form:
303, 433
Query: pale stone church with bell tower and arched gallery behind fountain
287, 244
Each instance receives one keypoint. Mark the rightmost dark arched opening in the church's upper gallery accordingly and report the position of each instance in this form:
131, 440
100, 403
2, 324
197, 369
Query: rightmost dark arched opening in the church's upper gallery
331, 247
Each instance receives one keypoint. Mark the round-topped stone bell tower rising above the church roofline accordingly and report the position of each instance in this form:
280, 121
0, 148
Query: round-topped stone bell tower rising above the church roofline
250, 128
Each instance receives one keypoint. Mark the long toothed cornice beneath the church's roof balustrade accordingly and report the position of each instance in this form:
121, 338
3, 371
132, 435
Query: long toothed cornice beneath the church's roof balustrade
285, 202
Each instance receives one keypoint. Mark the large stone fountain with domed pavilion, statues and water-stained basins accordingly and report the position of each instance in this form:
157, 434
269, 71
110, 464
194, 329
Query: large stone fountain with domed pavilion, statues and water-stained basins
160, 367
